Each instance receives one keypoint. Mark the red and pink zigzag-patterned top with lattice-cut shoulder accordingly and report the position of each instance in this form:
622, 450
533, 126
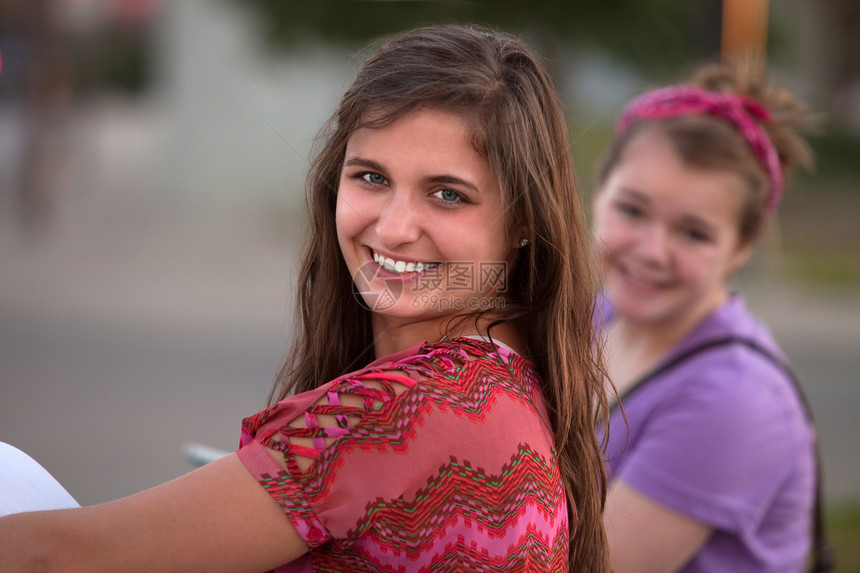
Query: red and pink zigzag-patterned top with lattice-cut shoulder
439, 458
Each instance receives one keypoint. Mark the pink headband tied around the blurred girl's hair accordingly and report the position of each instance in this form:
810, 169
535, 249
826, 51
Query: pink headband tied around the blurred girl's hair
741, 111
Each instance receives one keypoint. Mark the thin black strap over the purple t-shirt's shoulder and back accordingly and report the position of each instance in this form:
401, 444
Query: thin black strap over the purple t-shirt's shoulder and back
823, 558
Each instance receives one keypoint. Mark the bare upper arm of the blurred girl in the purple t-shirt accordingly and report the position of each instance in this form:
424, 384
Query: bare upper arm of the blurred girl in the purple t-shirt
646, 537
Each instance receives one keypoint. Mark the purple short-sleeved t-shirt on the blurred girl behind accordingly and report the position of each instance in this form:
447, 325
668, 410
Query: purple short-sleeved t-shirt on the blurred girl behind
722, 438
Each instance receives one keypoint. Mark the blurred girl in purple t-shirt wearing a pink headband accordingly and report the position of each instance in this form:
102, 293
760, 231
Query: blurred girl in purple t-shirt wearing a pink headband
711, 458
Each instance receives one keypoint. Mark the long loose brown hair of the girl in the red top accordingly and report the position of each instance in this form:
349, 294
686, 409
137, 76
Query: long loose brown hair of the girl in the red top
497, 84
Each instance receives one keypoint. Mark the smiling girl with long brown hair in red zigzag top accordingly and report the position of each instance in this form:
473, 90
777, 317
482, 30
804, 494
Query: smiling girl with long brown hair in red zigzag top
405, 434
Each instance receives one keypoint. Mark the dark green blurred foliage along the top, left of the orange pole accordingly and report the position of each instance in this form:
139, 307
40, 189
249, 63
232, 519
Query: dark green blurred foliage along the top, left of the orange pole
659, 35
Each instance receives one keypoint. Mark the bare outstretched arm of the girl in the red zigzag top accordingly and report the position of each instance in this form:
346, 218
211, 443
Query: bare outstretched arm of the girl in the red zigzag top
216, 518
